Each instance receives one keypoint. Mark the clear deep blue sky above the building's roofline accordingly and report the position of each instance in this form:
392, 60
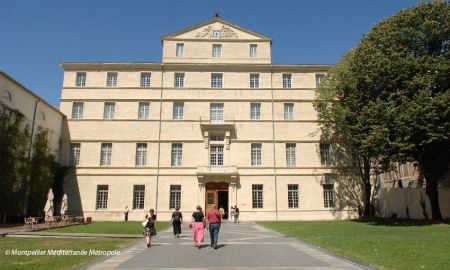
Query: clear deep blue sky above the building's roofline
37, 35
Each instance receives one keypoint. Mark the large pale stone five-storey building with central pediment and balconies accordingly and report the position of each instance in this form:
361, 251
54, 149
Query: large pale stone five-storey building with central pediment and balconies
215, 123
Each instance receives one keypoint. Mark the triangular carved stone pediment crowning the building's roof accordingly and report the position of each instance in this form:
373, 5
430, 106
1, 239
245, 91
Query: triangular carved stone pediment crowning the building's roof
216, 29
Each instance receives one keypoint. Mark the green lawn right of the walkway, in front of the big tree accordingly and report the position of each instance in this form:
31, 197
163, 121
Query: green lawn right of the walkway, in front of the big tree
380, 243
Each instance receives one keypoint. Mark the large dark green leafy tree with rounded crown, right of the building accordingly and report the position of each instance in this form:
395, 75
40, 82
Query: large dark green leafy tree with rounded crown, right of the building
397, 80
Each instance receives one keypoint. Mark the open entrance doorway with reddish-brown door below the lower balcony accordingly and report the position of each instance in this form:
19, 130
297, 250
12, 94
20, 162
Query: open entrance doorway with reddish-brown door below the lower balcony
217, 194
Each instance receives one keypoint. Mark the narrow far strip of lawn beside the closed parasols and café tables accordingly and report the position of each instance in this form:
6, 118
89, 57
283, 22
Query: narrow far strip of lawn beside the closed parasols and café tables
112, 227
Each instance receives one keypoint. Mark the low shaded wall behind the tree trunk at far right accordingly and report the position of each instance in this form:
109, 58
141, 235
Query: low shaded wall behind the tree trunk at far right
410, 203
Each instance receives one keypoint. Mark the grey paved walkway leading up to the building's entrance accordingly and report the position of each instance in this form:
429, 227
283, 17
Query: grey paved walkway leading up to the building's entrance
241, 246
